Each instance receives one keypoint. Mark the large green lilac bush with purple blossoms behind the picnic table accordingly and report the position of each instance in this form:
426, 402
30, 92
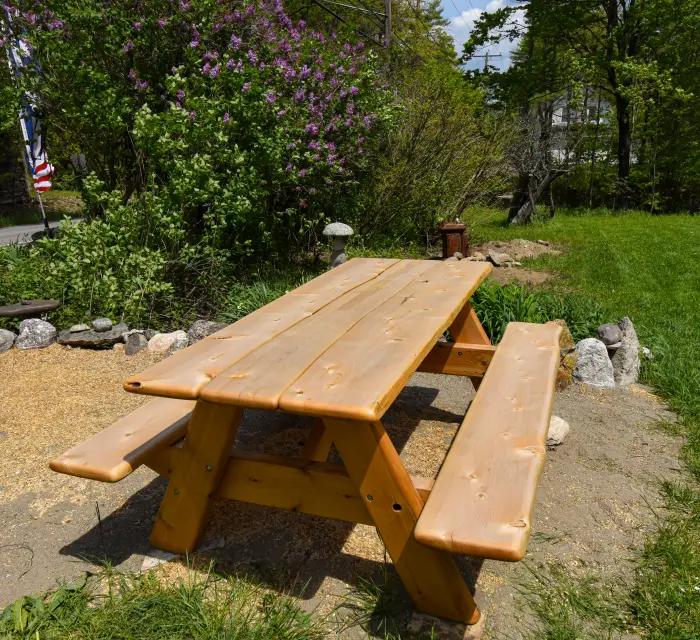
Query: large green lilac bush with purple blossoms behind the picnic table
245, 128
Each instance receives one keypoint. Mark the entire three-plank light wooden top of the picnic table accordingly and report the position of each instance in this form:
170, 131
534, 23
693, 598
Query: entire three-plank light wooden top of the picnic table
342, 345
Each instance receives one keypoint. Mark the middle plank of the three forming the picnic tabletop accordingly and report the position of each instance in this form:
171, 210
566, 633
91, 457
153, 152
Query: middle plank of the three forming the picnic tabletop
259, 379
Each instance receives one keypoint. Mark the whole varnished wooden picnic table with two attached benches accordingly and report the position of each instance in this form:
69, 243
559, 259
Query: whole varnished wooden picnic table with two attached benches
341, 348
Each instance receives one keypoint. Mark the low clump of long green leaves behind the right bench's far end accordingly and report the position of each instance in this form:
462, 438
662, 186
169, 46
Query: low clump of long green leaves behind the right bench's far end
497, 305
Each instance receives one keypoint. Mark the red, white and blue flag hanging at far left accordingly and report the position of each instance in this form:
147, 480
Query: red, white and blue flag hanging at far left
19, 58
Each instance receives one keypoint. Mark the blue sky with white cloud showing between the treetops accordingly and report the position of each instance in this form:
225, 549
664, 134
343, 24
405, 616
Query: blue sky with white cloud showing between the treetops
463, 13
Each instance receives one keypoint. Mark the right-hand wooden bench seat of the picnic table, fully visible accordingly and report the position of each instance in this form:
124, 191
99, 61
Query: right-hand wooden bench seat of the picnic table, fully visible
484, 495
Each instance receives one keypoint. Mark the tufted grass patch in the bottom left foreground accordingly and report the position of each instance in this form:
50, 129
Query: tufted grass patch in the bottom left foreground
142, 607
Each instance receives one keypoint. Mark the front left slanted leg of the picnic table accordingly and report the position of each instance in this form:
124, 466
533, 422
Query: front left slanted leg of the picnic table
205, 452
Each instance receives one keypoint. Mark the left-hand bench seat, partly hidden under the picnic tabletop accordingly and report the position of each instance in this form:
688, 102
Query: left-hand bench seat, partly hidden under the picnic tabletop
115, 452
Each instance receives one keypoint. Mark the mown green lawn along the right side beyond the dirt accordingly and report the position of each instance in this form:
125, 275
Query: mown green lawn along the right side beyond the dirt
646, 267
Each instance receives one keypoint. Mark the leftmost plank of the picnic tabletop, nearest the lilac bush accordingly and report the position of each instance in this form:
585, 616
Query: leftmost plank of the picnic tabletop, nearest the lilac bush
184, 374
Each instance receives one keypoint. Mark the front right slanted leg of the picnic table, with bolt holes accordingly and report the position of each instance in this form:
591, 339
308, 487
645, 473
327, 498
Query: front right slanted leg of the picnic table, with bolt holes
429, 575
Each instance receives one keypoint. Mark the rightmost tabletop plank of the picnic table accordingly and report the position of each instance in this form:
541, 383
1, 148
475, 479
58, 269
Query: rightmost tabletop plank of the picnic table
362, 373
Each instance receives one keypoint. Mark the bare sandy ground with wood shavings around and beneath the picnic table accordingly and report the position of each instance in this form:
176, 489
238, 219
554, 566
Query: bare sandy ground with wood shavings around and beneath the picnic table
594, 502
